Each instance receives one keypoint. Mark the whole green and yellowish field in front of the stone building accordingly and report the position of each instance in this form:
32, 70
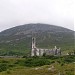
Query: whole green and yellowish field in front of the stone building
49, 65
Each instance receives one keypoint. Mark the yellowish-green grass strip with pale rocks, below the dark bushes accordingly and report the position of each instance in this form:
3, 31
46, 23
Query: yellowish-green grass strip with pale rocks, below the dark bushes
54, 69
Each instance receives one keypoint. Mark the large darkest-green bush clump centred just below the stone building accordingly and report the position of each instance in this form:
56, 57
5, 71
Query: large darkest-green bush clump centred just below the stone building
36, 62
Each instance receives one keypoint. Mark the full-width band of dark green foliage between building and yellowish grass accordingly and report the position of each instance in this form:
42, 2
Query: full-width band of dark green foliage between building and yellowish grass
35, 62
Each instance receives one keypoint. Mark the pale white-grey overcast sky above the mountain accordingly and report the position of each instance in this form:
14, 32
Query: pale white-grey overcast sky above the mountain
19, 12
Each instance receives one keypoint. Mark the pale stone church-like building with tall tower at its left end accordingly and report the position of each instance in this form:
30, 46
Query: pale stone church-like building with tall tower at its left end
39, 51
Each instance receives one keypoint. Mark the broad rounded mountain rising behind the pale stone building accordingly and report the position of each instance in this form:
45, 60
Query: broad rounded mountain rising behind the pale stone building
17, 40
